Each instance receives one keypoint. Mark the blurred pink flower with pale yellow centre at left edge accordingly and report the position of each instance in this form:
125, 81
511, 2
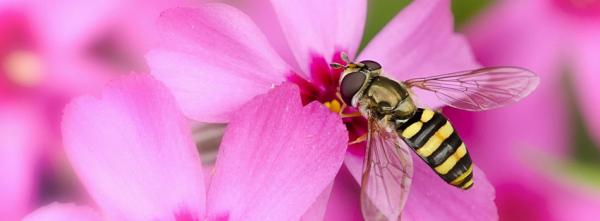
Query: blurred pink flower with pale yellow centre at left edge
49, 52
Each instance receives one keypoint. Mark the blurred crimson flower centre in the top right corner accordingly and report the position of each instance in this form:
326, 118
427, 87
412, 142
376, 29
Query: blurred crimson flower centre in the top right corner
580, 8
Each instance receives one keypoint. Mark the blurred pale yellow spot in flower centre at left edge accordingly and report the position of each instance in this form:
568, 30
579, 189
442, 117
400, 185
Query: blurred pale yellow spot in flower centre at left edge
23, 68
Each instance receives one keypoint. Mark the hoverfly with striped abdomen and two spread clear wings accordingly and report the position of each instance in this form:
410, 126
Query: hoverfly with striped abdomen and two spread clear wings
396, 125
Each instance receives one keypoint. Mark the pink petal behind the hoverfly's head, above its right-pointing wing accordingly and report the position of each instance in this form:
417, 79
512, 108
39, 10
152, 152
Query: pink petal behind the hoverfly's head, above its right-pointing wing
418, 42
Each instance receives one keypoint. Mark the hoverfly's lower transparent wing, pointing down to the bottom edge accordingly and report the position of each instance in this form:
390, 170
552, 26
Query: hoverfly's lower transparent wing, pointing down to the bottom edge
387, 175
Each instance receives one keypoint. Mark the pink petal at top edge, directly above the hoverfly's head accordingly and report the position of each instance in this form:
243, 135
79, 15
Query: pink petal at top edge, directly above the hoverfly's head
321, 27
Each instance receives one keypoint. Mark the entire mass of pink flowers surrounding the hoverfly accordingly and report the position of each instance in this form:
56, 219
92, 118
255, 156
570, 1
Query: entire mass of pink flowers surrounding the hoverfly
101, 101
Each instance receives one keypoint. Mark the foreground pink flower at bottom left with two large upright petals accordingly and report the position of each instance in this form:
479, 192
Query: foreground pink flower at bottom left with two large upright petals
133, 150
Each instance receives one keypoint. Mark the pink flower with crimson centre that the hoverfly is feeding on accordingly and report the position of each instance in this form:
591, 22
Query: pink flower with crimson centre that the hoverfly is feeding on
215, 58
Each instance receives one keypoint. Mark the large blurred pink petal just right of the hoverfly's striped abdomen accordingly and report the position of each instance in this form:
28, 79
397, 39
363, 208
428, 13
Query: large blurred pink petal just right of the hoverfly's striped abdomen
517, 33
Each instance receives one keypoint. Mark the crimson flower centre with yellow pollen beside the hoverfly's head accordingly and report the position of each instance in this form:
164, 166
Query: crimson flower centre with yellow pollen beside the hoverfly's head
323, 87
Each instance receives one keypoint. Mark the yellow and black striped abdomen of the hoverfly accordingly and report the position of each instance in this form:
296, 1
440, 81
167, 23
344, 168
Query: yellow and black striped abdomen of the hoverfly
433, 138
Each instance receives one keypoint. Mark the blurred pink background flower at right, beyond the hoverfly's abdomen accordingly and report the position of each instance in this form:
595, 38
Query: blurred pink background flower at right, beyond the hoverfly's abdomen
546, 37
